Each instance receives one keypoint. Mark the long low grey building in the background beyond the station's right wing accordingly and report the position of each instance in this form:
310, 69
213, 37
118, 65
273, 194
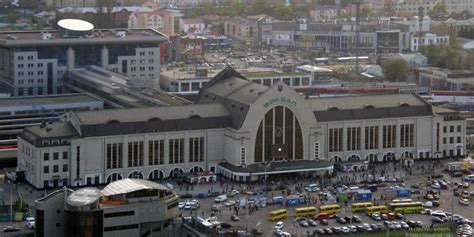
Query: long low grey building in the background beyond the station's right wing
336, 36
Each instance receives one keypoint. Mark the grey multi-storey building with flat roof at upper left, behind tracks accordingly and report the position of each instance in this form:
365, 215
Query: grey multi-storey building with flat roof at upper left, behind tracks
34, 62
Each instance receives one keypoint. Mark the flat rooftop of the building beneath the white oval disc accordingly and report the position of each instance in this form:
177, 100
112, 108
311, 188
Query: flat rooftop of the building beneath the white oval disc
98, 36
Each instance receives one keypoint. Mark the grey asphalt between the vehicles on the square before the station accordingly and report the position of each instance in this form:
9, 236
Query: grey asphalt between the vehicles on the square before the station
258, 219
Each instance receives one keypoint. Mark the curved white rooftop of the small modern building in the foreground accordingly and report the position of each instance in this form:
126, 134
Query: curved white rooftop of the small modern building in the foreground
125, 186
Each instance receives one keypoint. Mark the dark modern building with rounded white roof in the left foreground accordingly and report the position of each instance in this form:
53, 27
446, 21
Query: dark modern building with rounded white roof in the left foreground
129, 207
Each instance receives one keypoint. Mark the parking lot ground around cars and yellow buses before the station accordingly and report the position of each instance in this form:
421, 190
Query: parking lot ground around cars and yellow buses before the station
257, 218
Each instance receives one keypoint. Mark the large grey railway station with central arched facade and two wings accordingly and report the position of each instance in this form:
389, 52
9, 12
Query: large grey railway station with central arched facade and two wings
240, 129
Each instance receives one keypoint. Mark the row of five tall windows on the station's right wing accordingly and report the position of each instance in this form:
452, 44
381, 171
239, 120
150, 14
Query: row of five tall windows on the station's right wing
353, 137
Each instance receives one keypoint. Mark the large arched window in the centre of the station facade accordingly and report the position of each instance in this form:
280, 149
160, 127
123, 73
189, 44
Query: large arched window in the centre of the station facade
279, 136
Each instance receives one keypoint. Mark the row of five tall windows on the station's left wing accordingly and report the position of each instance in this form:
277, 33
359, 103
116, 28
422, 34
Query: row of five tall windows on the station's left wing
156, 152
